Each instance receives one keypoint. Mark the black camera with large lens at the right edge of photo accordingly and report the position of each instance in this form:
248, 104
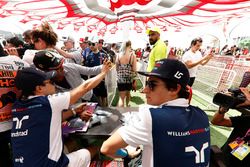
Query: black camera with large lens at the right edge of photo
229, 101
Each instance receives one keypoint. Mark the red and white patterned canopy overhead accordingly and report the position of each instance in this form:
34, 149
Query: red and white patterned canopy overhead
106, 15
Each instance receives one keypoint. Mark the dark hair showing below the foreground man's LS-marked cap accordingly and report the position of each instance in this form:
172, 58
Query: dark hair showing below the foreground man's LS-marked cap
171, 84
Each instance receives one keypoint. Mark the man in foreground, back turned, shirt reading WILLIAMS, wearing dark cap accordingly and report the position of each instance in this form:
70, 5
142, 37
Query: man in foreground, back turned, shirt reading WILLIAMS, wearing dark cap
173, 133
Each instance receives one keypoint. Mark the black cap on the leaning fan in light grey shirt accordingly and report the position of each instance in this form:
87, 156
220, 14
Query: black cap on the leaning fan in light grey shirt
46, 60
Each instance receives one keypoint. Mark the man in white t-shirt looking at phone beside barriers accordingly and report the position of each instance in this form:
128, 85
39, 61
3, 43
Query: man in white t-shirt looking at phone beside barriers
193, 58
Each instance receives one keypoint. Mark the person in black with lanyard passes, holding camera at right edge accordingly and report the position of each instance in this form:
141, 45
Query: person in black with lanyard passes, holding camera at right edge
241, 132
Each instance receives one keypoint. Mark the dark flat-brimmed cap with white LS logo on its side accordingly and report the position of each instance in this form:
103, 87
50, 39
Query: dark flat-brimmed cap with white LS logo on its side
170, 69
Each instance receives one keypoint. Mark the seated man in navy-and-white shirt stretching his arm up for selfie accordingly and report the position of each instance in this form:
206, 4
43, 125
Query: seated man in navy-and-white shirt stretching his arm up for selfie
36, 133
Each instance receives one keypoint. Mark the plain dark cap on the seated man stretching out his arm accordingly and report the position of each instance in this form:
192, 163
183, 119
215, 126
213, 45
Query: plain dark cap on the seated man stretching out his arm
28, 78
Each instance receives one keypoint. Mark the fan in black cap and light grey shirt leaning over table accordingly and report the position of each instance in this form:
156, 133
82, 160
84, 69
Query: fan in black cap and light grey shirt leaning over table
68, 74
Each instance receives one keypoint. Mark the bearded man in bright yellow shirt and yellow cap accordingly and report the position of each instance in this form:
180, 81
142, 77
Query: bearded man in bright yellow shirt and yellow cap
159, 50
